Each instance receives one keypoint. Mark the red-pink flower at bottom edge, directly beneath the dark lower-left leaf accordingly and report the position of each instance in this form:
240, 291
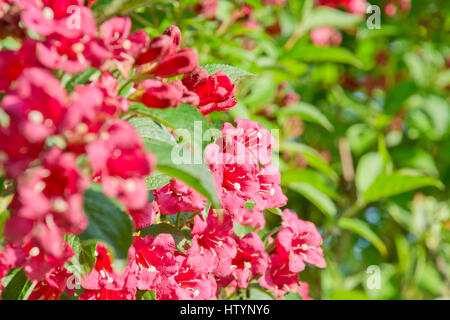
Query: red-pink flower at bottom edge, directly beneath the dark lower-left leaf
104, 283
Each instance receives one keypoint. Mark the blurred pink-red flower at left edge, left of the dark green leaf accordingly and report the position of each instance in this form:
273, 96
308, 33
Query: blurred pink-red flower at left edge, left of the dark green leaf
52, 192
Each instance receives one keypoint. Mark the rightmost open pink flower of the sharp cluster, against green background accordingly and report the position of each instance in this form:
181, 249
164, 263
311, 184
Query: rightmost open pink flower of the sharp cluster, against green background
299, 242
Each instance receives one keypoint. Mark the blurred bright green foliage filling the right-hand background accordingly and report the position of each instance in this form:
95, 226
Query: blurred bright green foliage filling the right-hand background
365, 154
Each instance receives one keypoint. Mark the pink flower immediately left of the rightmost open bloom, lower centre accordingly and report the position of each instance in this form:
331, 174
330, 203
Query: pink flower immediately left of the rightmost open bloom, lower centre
251, 259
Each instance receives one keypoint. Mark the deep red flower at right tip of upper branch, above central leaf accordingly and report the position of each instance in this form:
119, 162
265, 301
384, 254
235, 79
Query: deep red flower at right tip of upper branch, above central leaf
216, 92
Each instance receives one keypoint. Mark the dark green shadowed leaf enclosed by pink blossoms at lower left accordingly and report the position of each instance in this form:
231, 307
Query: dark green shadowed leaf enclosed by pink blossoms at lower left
108, 223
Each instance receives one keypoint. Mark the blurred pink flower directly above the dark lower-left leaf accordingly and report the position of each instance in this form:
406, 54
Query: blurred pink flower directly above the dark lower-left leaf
119, 160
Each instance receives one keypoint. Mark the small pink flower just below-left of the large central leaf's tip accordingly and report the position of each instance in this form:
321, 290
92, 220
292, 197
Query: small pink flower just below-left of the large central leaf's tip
178, 197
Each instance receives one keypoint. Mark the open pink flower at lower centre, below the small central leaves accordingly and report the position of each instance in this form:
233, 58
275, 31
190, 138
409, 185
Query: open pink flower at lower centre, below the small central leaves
212, 248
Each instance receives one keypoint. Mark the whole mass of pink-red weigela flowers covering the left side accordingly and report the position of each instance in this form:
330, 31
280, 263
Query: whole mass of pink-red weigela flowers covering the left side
56, 139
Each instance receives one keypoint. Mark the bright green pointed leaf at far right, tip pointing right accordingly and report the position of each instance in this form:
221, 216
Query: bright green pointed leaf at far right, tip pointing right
397, 183
